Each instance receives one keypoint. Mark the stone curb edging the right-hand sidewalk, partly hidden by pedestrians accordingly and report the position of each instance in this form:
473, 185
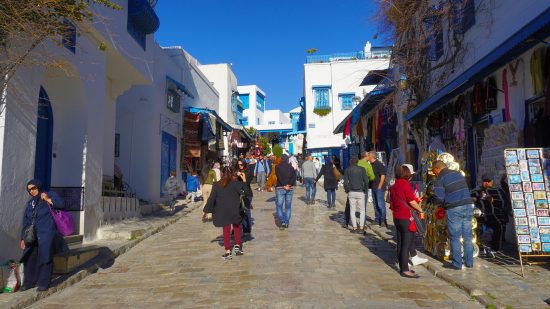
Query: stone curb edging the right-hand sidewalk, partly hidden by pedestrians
480, 295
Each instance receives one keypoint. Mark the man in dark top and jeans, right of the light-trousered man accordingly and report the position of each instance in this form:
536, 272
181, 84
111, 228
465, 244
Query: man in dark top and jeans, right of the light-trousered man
378, 189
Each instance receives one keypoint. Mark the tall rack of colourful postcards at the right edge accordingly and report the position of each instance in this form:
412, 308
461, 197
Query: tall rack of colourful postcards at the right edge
530, 194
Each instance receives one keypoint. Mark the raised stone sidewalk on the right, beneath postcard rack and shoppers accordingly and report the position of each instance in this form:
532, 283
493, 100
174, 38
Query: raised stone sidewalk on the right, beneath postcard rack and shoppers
494, 281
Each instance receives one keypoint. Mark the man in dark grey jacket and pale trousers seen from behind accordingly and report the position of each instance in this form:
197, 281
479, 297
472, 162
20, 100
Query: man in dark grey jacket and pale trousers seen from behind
356, 184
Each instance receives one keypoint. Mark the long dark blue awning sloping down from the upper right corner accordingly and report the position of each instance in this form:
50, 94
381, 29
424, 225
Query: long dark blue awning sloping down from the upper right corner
533, 33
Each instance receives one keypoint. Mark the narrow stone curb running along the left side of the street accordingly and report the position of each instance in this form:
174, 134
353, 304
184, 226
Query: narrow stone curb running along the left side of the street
80, 275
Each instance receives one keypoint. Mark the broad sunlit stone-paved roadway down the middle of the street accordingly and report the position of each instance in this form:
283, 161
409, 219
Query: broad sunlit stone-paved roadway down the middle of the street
313, 264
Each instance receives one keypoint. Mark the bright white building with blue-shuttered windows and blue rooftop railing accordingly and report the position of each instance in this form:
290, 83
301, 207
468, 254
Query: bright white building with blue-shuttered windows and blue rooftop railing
331, 90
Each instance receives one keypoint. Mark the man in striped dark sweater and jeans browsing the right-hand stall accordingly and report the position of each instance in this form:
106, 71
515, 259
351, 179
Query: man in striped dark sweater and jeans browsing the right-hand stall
451, 190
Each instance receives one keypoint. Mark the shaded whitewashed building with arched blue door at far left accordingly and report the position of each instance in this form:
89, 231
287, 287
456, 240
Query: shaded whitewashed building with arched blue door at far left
59, 125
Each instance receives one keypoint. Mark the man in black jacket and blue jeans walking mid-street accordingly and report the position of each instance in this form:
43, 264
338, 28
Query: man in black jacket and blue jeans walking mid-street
286, 180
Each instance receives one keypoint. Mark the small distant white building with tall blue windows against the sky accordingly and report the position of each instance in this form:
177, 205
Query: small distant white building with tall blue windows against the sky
253, 99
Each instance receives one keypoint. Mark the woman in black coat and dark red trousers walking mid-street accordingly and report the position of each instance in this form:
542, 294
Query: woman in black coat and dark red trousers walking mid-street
224, 204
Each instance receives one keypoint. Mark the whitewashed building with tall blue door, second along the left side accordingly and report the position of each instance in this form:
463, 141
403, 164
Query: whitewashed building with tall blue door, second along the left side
150, 120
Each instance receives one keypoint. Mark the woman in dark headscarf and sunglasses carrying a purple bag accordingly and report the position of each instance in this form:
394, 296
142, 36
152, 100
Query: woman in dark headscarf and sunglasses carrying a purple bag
38, 256
